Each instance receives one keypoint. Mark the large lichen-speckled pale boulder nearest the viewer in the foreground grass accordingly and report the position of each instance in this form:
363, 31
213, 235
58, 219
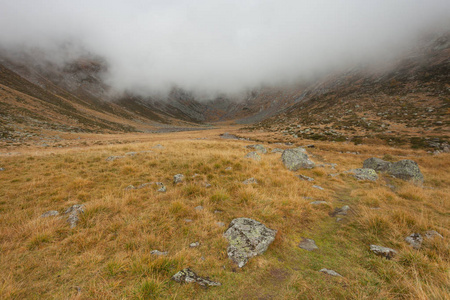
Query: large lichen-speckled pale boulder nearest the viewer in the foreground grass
247, 238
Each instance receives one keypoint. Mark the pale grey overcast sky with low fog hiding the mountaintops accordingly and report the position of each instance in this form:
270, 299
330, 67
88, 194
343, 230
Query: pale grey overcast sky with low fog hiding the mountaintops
220, 45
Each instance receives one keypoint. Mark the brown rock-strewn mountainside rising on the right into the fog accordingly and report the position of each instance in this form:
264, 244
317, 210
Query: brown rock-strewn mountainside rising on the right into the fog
406, 103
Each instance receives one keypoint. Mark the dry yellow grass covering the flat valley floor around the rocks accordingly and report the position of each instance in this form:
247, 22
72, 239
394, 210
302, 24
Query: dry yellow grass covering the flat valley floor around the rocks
107, 256
